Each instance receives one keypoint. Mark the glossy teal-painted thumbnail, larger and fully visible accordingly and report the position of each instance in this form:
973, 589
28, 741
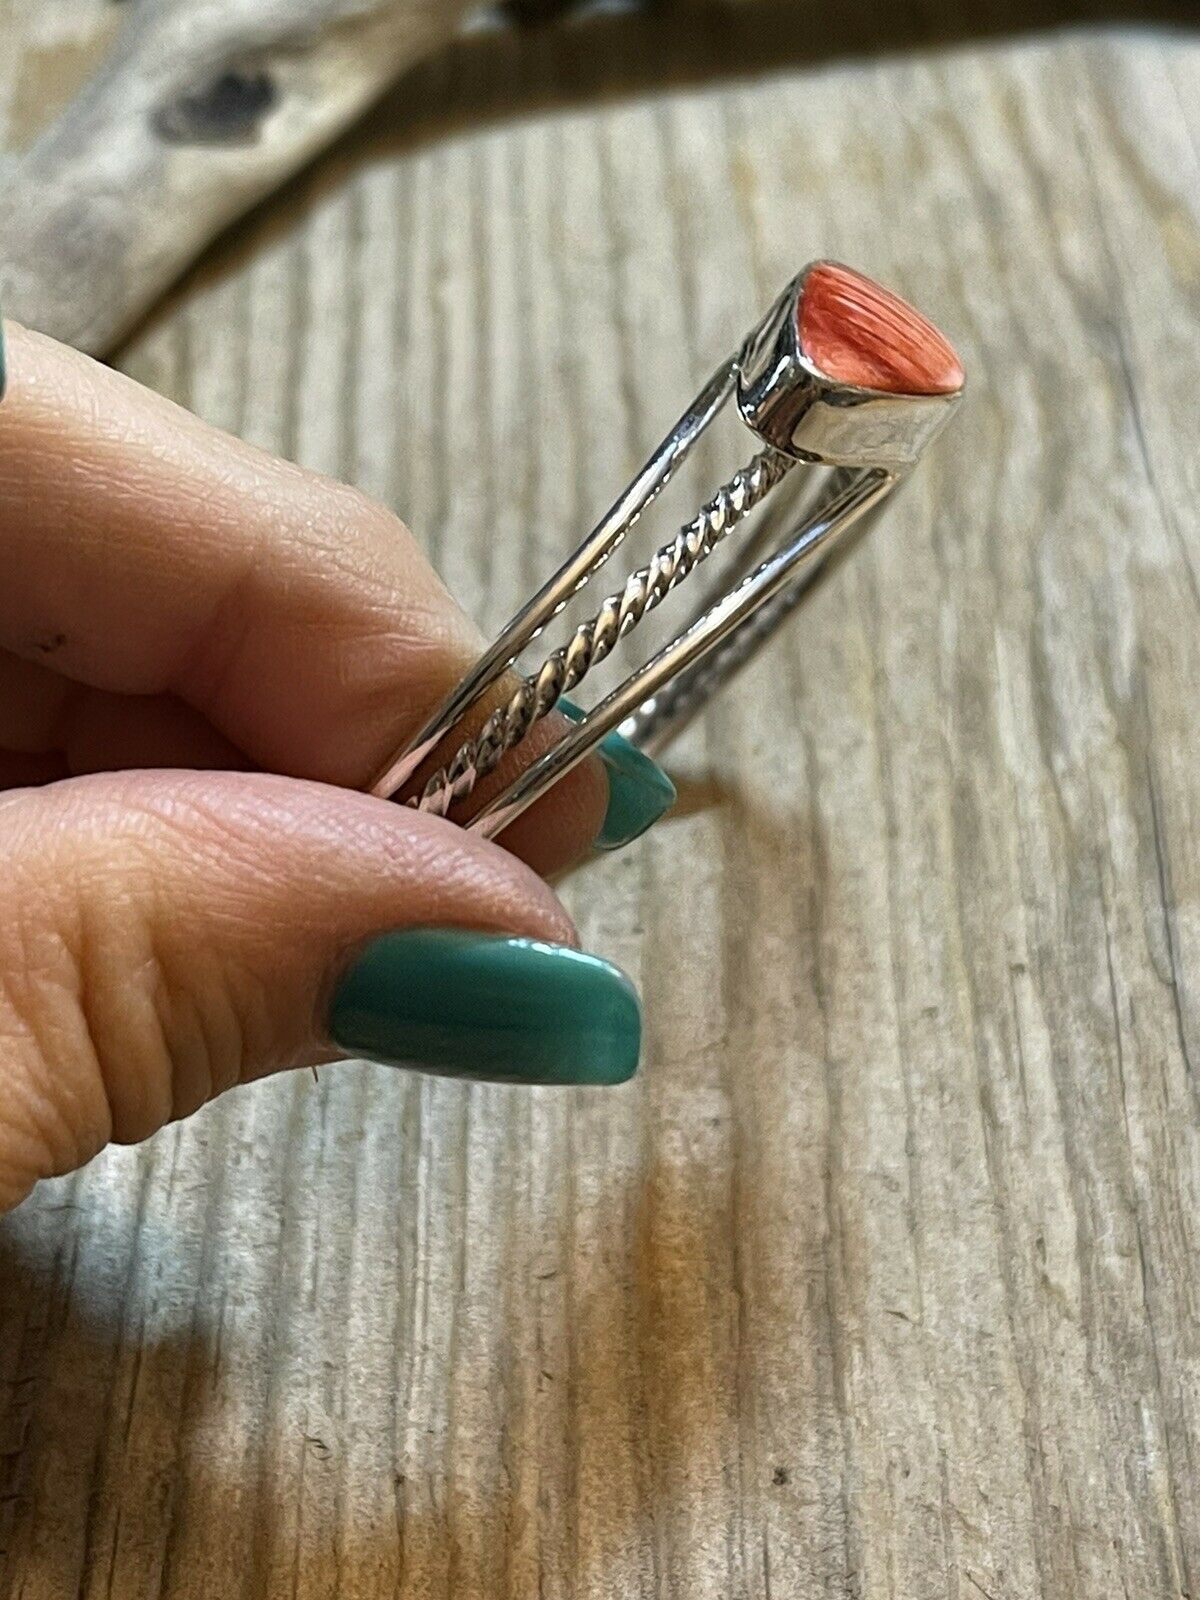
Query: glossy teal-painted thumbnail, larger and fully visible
473, 1006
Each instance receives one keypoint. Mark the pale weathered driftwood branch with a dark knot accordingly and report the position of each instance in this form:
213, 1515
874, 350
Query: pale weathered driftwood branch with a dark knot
199, 110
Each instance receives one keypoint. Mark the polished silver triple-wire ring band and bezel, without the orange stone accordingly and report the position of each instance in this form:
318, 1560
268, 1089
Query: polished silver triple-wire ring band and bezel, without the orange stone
802, 418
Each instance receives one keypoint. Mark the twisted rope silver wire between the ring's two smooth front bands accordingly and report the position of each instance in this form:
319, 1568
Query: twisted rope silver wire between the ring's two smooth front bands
596, 639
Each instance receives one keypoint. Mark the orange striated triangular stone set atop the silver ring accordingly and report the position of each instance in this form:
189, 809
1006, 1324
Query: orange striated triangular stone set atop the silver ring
860, 334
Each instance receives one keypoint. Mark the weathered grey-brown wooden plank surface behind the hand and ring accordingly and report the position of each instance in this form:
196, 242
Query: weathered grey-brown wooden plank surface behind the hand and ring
886, 1278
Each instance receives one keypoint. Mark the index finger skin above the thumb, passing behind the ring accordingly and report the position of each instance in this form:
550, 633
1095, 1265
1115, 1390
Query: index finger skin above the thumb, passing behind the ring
146, 554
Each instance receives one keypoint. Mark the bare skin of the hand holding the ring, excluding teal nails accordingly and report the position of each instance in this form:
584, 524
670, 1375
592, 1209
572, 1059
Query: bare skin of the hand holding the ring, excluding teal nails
202, 654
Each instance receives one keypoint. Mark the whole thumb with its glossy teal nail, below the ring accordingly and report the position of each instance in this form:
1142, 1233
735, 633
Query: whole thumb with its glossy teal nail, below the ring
169, 935
